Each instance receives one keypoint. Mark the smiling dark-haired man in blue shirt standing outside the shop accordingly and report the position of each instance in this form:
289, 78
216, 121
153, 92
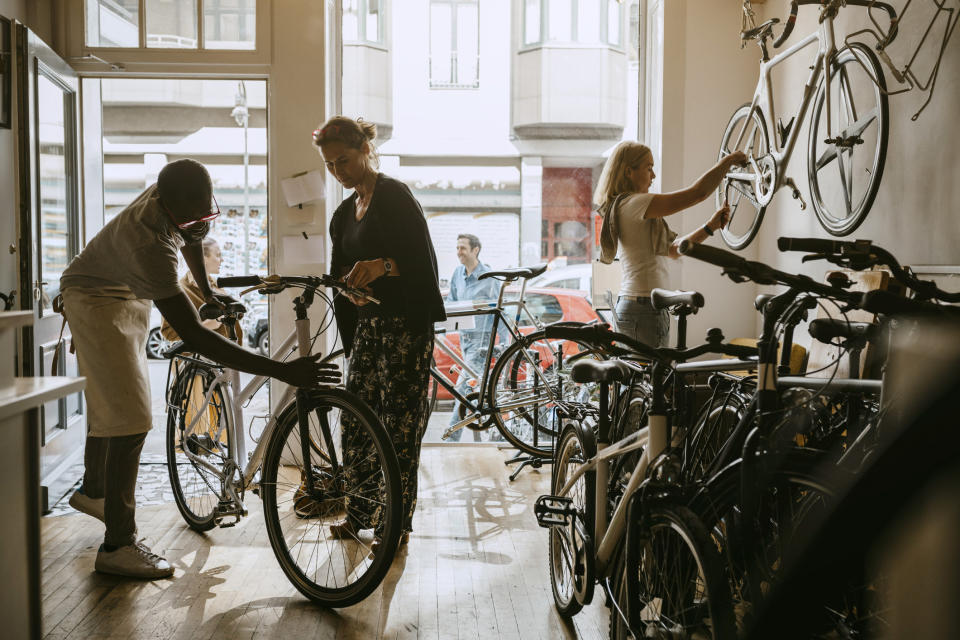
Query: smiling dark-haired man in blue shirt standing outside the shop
465, 285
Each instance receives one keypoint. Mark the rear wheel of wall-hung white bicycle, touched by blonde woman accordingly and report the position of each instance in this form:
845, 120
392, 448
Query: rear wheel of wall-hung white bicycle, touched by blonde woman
745, 216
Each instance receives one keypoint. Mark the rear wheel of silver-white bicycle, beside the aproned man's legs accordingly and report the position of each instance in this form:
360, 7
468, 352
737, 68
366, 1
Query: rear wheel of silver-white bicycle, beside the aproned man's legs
197, 490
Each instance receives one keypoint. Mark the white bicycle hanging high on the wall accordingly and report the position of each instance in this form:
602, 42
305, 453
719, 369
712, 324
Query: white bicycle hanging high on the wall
849, 124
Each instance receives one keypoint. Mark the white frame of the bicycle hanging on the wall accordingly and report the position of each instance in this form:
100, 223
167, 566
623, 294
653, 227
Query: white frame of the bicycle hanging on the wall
826, 40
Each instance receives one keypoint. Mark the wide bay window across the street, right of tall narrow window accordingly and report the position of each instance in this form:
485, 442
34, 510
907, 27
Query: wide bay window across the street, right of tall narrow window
579, 21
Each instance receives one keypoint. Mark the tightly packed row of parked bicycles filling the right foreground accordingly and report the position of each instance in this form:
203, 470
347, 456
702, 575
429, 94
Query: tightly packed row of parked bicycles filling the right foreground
733, 498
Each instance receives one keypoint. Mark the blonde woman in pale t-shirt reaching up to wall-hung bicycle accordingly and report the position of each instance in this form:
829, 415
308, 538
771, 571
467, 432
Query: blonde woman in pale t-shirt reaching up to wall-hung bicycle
633, 219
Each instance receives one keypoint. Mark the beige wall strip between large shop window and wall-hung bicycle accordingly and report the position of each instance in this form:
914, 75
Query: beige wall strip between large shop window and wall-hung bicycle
706, 76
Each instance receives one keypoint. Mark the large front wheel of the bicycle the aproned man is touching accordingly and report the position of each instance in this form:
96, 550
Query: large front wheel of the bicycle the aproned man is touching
350, 569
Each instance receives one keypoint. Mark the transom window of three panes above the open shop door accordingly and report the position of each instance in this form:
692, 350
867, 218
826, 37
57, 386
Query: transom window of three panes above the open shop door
171, 24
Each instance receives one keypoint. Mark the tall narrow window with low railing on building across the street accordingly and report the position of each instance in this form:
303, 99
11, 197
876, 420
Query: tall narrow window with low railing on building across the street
454, 44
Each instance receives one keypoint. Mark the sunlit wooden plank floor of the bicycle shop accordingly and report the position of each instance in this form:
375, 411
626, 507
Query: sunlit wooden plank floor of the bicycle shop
475, 567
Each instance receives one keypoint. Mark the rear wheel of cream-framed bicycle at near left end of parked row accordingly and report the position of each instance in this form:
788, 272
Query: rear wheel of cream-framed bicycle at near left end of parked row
570, 581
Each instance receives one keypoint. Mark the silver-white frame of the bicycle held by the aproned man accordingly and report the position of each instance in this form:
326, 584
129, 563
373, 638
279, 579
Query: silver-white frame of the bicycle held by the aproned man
228, 380
